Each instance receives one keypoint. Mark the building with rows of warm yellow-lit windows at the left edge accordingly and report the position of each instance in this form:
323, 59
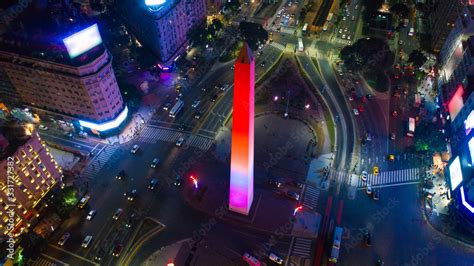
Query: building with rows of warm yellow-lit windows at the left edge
28, 173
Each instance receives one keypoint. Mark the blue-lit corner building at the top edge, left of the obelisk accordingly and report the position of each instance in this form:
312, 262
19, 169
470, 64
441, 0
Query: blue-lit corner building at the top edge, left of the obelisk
162, 26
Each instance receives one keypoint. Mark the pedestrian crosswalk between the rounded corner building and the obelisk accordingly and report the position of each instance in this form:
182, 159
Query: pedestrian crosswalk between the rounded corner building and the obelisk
153, 134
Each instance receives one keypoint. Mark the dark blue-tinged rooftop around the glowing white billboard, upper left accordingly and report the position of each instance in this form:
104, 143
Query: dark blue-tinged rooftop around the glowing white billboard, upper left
38, 31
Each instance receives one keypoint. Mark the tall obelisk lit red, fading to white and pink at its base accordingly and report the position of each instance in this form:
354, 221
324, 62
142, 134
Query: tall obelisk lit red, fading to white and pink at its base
241, 165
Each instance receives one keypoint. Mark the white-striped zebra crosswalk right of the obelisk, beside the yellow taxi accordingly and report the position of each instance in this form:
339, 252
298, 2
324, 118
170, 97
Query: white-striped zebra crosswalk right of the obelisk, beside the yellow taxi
392, 177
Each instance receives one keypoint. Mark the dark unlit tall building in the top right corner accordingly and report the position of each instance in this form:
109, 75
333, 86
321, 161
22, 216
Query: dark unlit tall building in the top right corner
442, 21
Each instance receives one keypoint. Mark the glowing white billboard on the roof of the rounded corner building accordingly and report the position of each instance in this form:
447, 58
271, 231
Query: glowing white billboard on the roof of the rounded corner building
82, 41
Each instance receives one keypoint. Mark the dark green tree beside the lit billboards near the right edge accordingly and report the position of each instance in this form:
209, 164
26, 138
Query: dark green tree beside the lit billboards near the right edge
428, 138
